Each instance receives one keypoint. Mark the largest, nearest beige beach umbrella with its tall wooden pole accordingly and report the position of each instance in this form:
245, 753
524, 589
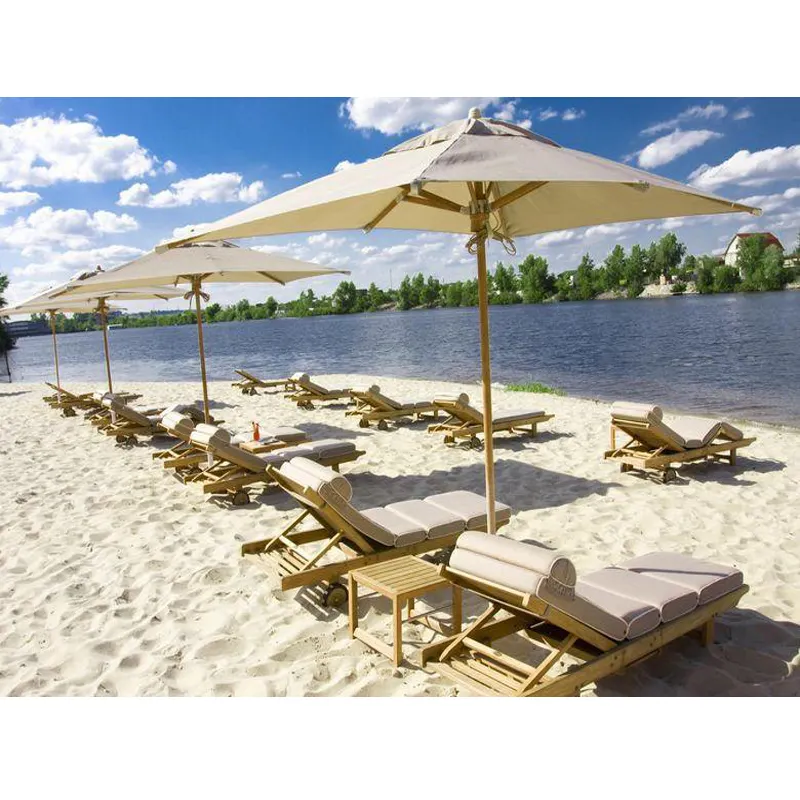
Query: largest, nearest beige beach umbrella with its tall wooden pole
485, 178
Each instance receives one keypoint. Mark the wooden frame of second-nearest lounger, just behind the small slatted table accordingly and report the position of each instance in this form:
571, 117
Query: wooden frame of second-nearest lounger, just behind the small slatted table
283, 553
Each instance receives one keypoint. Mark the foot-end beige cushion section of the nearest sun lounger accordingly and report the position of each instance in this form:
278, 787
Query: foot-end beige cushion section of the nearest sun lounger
708, 579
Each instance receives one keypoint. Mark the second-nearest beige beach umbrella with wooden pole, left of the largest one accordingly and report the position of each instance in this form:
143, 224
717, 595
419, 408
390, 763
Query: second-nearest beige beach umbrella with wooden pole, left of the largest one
196, 265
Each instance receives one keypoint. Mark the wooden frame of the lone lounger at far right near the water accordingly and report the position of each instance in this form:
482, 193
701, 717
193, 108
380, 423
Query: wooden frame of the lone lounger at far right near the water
647, 449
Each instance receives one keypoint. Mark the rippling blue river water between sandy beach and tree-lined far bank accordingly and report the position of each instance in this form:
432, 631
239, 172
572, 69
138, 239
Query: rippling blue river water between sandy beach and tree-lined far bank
737, 355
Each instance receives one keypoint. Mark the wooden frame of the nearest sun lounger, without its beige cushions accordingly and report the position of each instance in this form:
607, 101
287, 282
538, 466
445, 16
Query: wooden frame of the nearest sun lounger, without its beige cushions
468, 658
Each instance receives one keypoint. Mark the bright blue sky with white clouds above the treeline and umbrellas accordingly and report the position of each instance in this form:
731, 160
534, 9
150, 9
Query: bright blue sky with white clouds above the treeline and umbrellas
87, 182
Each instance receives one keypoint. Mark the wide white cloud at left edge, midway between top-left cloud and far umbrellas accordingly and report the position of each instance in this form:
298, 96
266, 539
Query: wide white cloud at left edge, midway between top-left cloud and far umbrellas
71, 228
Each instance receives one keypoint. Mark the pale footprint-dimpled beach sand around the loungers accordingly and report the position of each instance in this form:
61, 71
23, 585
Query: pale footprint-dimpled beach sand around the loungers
117, 579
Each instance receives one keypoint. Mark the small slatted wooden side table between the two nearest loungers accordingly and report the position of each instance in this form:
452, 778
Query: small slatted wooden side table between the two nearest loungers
402, 580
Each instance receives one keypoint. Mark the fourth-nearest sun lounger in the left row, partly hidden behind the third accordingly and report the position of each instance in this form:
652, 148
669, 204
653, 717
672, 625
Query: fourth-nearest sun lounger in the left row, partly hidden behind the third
186, 457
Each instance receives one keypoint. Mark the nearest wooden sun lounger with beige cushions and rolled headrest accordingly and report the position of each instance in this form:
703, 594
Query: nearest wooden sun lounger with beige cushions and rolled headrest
608, 619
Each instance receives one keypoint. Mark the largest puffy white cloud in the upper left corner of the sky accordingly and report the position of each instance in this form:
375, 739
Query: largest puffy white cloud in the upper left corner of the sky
41, 151
